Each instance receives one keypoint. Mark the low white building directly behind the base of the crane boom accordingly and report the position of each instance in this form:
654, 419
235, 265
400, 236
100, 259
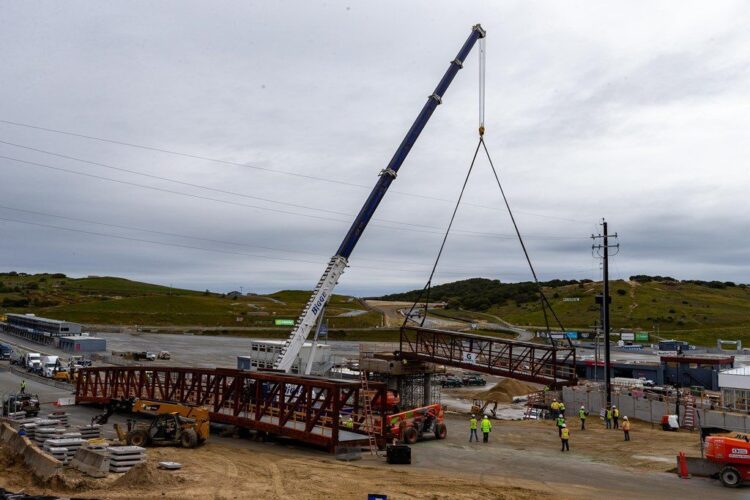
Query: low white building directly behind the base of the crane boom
263, 353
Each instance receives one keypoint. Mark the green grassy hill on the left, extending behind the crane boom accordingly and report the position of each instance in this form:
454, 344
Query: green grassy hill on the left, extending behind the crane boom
117, 301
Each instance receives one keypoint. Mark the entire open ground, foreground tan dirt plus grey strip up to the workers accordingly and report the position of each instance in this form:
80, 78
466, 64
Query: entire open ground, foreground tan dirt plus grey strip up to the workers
522, 461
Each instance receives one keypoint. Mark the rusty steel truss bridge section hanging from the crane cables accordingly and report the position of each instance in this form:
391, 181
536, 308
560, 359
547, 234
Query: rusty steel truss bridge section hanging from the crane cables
553, 366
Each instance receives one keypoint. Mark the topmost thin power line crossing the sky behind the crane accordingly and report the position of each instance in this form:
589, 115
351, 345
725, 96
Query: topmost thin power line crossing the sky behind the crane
264, 169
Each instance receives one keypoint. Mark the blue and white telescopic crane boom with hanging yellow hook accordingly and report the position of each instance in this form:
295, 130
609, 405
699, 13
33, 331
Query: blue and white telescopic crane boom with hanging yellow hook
313, 311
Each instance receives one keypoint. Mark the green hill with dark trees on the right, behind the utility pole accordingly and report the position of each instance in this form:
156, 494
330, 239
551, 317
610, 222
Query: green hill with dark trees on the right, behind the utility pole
697, 311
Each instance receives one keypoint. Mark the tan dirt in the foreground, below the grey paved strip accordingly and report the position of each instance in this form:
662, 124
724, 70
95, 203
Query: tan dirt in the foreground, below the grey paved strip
221, 472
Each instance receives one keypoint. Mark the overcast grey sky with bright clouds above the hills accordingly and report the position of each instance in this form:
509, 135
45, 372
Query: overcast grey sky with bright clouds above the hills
283, 113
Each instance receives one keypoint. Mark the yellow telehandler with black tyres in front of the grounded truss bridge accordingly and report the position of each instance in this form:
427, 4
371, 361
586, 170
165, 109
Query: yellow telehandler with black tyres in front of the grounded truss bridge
173, 424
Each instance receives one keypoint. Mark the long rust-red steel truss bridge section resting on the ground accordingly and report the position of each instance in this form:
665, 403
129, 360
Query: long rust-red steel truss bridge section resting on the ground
304, 408
